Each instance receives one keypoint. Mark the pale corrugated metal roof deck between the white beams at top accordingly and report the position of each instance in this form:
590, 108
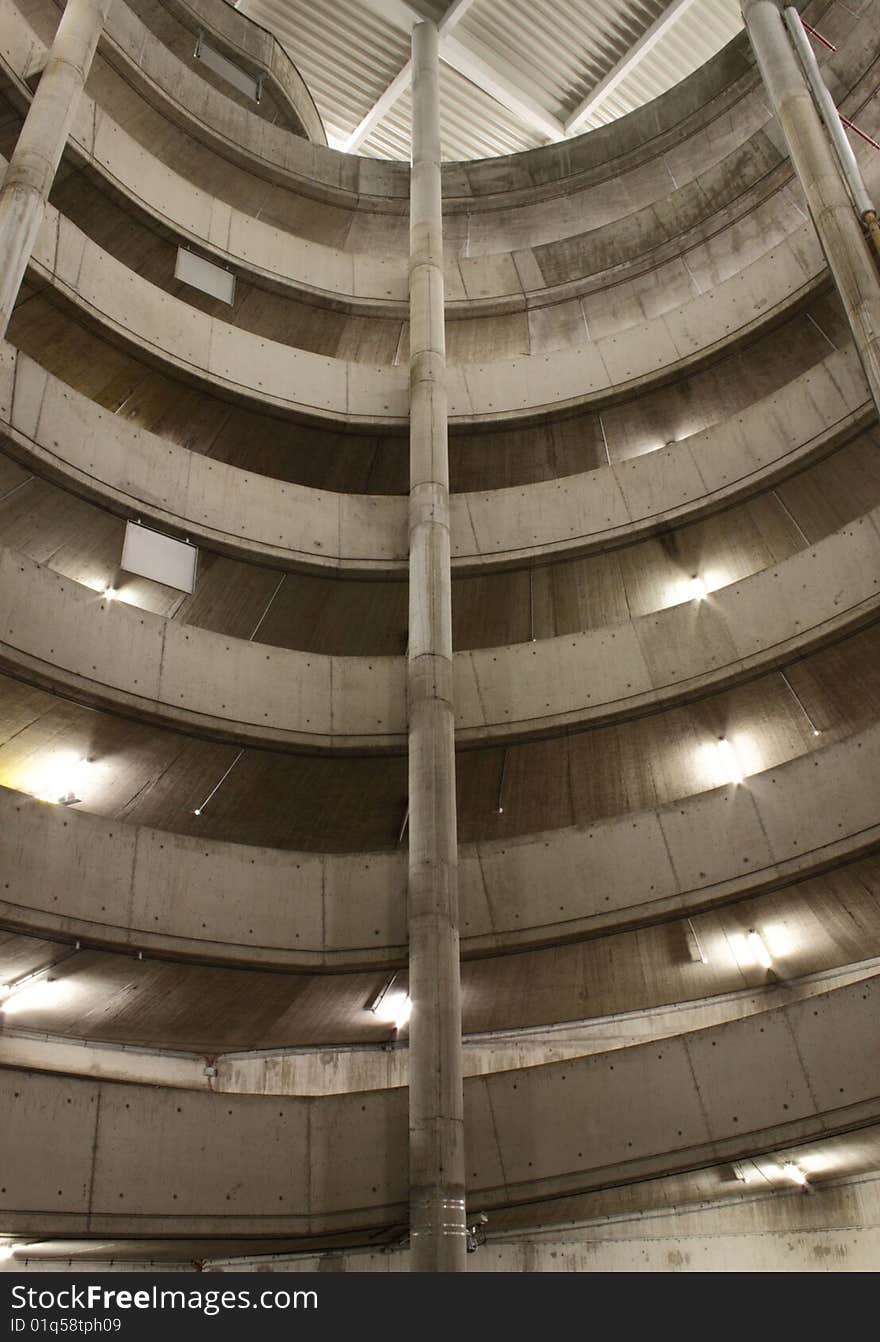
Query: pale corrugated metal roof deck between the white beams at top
551, 52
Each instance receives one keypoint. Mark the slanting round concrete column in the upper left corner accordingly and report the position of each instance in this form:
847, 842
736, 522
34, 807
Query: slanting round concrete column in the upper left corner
41, 146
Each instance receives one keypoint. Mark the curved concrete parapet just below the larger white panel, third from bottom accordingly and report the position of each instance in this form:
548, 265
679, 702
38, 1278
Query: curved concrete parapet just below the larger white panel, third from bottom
128, 660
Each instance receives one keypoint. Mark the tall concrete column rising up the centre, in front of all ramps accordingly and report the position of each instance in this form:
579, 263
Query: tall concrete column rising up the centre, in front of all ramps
437, 1119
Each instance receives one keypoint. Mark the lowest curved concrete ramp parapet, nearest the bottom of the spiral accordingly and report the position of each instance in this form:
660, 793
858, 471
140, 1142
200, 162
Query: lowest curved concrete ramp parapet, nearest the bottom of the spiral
532, 1132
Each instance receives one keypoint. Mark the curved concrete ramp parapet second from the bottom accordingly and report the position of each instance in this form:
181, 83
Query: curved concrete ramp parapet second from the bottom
532, 890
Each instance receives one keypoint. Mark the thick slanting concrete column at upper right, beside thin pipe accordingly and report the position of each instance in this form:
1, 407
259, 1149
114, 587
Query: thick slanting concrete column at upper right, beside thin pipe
822, 179
